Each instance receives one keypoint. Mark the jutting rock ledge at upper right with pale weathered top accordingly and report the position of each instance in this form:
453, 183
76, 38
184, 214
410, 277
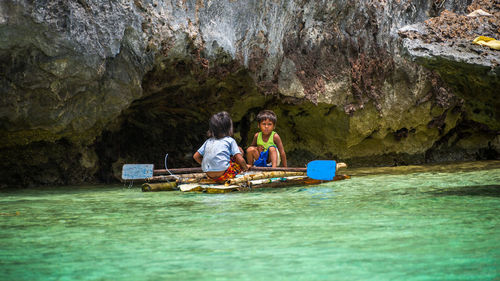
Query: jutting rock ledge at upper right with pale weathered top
443, 44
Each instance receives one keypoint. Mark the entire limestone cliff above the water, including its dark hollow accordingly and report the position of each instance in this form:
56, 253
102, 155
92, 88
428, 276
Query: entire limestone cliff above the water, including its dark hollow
88, 85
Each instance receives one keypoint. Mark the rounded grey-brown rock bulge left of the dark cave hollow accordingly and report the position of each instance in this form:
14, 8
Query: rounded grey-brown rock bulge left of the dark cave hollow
68, 68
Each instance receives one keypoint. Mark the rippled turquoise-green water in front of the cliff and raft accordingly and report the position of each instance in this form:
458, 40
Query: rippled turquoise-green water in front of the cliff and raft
411, 223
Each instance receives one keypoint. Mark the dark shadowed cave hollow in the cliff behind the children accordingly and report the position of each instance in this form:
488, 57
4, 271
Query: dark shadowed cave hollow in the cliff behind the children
172, 117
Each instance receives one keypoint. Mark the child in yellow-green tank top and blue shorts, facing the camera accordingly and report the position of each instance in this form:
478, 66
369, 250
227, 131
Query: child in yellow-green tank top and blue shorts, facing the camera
266, 148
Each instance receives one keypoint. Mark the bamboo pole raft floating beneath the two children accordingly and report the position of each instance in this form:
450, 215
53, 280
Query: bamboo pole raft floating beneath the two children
198, 182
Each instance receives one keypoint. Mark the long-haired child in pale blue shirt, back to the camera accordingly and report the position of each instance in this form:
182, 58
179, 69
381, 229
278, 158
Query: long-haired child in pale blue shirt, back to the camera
220, 157
